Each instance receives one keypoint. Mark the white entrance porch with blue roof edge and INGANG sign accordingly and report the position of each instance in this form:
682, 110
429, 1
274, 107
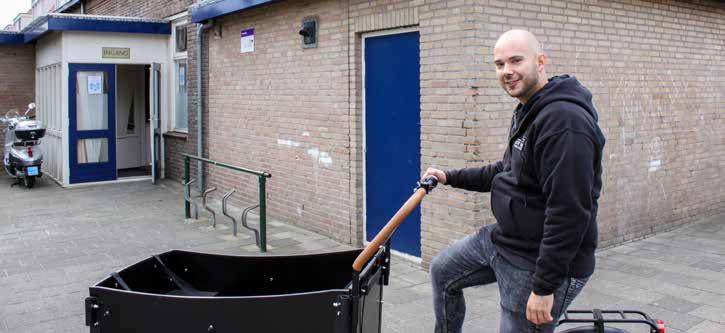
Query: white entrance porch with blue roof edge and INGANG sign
98, 89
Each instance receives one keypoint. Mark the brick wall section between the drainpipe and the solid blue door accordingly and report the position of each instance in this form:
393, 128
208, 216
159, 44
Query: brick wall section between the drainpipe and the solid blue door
285, 110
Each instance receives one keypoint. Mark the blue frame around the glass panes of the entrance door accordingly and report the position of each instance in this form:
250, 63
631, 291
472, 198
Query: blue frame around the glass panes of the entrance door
73, 135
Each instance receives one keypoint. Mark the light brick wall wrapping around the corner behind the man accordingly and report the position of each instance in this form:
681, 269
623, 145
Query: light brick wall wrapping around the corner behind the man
655, 67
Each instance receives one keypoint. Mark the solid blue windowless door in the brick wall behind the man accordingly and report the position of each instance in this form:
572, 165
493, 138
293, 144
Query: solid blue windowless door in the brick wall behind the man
392, 135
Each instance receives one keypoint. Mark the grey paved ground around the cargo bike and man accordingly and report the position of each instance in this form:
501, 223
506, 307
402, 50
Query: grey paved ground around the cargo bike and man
55, 243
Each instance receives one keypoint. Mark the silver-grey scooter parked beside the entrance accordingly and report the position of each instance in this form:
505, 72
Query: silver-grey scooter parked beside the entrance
22, 156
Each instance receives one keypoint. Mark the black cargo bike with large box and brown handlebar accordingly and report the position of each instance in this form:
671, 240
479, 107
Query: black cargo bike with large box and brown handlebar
182, 291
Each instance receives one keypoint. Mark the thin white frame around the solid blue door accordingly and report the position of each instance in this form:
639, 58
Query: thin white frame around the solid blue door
363, 37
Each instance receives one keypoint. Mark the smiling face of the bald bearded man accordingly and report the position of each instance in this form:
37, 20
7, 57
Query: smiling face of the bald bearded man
517, 69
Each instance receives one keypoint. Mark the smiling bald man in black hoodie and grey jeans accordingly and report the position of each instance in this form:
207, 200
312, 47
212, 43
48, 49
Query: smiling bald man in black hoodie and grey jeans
544, 196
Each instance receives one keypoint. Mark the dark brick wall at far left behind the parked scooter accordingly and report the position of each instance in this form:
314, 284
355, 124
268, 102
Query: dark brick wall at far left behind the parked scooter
17, 79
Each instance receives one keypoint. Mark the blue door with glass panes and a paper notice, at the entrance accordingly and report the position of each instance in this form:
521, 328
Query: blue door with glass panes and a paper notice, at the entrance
92, 112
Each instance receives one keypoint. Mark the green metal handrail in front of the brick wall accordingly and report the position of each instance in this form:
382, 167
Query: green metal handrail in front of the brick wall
261, 178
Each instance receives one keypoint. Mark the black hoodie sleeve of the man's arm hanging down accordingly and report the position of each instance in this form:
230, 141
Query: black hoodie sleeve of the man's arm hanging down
566, 171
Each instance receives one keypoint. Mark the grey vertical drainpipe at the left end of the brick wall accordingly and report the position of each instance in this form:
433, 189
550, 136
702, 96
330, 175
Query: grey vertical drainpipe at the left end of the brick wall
200, 28
